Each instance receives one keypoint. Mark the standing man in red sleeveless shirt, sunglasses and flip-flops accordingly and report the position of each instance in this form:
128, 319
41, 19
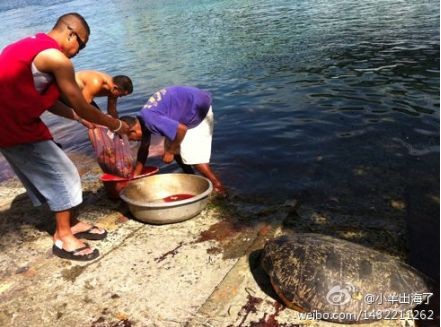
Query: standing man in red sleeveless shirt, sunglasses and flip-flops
34, 72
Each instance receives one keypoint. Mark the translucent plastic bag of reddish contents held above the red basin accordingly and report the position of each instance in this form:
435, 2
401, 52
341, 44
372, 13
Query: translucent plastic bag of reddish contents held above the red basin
113, 152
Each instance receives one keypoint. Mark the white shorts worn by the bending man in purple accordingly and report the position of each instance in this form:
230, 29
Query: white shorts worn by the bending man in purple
196, 146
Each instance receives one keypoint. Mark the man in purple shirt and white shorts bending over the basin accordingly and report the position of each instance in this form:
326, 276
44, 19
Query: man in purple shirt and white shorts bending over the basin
183, 115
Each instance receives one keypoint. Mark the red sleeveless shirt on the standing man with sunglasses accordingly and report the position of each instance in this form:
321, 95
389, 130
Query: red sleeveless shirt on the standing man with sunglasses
20, 103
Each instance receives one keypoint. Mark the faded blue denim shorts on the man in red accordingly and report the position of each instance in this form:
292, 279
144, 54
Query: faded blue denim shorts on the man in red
47, 173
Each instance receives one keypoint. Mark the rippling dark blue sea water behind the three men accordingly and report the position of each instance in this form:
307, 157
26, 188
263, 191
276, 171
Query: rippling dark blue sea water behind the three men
329, 97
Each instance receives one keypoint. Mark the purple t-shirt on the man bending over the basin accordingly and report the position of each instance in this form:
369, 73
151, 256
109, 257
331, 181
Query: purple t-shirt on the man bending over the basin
173, 105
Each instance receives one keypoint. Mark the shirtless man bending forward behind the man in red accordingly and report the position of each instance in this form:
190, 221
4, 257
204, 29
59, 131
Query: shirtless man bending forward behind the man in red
97, 84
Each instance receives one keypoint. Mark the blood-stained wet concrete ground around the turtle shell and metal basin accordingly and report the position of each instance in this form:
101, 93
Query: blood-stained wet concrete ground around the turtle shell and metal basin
201, 272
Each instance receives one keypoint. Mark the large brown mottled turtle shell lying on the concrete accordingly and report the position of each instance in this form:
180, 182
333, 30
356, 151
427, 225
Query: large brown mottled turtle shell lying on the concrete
341, 281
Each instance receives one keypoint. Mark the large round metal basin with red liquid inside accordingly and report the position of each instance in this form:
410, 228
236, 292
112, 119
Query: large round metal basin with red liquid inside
167, 198
